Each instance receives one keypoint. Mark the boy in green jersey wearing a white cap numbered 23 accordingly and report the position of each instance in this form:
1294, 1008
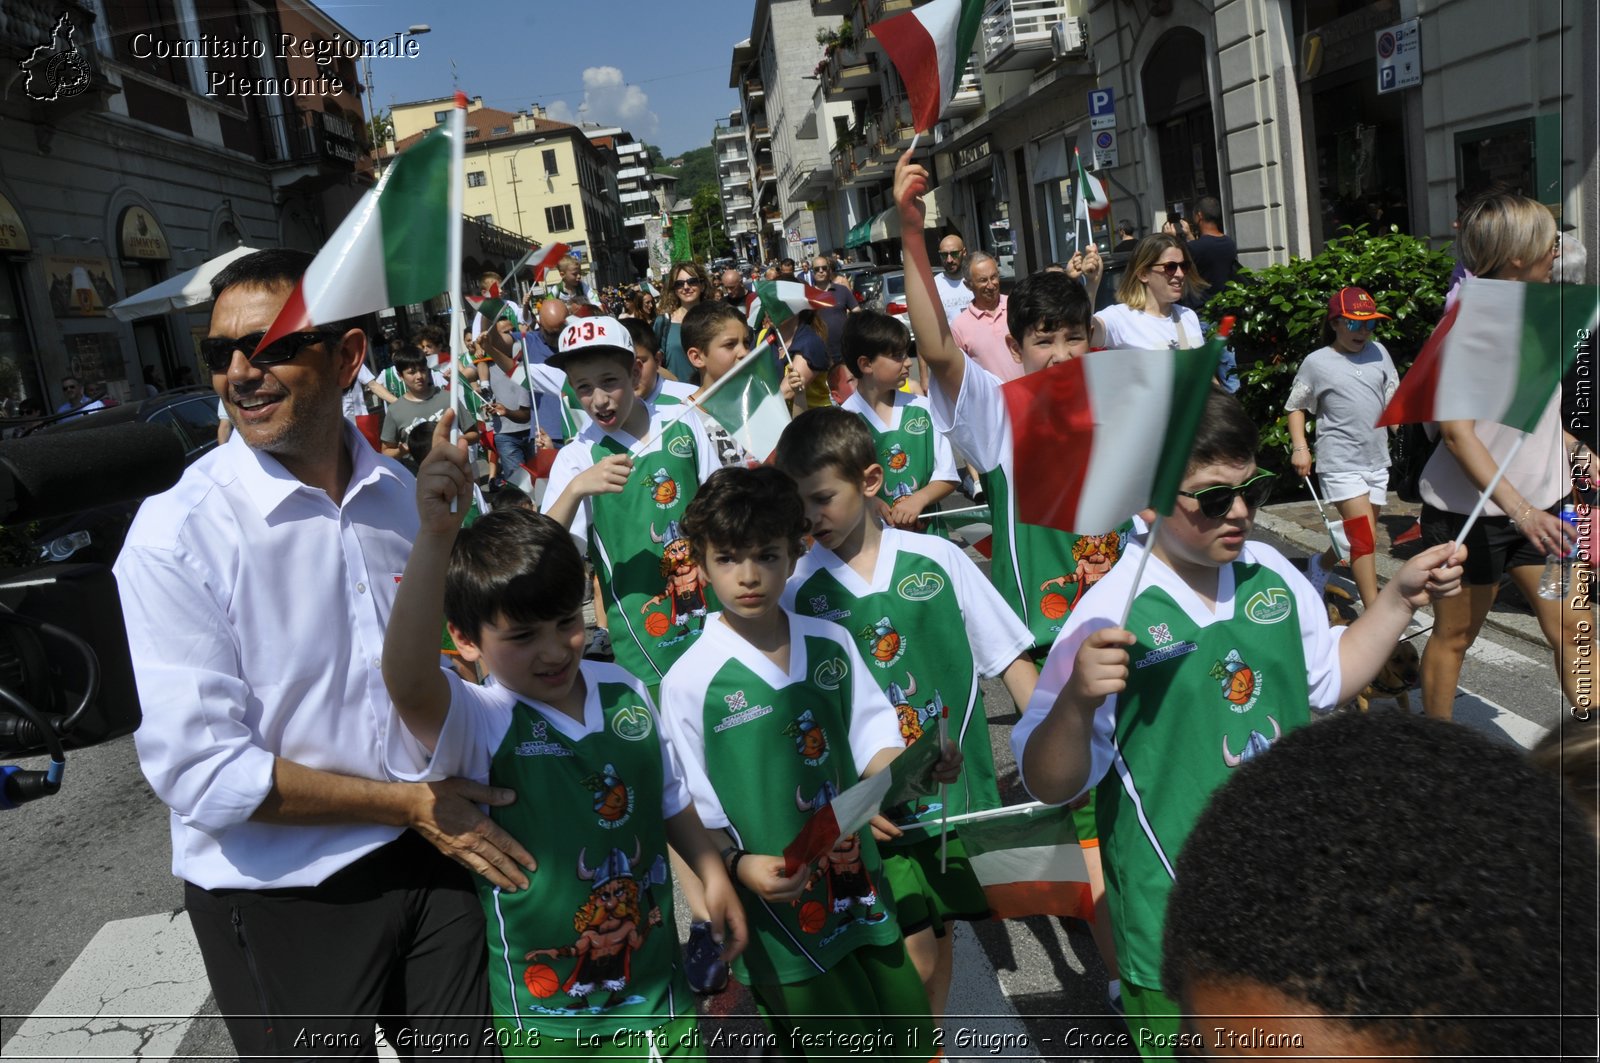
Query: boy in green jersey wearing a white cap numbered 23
626, 502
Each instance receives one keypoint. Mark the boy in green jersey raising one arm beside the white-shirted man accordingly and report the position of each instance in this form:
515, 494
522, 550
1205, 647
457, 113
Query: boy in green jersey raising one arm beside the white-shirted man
585, 957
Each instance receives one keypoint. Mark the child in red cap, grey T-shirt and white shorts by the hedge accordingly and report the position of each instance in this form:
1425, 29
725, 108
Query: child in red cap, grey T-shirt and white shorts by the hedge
1346, 387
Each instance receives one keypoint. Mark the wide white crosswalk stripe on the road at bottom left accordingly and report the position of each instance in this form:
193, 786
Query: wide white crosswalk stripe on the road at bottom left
134, 992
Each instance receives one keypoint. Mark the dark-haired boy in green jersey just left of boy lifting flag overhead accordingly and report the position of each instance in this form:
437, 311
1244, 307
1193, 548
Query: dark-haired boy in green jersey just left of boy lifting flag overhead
918, 465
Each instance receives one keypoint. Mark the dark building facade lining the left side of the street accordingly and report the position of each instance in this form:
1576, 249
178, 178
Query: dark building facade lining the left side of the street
132, 156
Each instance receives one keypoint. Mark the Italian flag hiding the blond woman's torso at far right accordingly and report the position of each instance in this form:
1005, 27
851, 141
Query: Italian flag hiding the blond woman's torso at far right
1497, 356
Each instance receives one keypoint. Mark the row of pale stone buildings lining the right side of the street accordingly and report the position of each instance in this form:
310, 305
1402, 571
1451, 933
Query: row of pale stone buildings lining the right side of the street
1278, 108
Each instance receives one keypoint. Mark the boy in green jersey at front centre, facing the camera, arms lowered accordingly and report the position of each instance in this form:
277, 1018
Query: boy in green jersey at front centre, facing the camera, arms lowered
774, 715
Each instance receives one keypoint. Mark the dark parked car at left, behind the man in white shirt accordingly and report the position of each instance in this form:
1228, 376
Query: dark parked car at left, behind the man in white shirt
97, 534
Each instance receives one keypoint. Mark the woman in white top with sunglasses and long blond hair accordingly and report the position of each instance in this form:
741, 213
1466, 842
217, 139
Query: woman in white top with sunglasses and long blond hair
1148, 315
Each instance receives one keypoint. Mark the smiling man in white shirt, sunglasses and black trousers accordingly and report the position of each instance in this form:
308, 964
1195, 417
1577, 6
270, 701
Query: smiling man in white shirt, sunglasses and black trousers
257, 593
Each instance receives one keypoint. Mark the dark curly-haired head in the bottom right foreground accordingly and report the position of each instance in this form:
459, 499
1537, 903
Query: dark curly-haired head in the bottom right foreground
1351, 926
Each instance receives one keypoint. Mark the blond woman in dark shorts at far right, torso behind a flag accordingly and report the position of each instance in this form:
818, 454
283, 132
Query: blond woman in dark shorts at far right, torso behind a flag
1506, 238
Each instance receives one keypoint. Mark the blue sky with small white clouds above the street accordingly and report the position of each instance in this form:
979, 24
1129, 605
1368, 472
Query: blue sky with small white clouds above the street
657, 70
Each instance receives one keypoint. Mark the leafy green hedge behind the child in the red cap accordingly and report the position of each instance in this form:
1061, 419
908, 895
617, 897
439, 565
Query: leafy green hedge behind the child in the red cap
1279, 315
